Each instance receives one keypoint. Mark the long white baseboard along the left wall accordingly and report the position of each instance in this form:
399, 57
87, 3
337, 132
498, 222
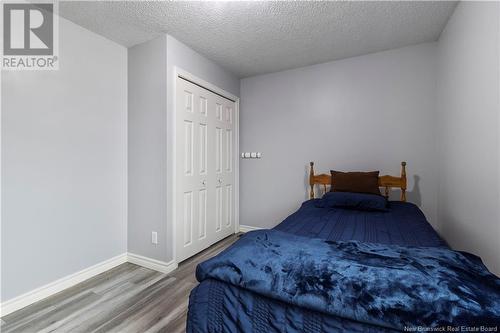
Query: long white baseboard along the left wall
52, 288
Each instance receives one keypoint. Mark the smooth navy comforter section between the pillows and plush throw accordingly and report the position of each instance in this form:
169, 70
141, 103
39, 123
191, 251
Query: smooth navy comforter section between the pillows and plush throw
403, 224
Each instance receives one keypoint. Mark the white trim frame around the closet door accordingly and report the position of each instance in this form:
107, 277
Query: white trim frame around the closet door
179, 72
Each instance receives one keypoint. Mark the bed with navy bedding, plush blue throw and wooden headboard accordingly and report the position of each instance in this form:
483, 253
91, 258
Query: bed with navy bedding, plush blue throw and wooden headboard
242, 289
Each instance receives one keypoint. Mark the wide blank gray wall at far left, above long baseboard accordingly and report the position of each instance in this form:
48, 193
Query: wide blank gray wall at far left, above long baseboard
64, 150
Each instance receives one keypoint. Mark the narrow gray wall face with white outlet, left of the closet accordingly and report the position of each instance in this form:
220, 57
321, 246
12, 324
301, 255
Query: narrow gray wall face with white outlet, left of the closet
147, 154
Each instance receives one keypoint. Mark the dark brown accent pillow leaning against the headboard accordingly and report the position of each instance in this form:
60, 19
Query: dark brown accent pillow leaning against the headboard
358, 182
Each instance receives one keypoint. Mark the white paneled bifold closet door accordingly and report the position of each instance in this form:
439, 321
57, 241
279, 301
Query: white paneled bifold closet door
205, 152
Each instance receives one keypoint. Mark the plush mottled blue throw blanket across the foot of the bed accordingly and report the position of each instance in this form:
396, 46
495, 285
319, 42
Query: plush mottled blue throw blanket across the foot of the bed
384, 285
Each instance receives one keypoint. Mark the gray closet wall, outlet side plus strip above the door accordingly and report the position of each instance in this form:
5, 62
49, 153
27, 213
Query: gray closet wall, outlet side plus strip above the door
151, 91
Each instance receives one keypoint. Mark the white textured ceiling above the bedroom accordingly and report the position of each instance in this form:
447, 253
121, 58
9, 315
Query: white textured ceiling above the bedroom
249, 38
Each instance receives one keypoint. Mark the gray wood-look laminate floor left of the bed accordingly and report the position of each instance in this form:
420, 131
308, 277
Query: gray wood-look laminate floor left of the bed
126, 299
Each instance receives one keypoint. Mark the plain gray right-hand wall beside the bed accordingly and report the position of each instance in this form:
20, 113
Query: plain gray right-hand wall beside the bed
468, 130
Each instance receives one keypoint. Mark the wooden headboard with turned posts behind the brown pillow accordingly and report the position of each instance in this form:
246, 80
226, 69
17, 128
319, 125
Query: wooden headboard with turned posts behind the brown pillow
387, 182
